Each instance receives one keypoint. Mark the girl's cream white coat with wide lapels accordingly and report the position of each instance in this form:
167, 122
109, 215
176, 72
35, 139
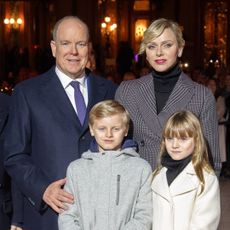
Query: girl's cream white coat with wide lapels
180, 207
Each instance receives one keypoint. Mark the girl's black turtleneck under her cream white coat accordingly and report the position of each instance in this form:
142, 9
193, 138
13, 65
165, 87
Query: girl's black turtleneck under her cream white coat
174, 167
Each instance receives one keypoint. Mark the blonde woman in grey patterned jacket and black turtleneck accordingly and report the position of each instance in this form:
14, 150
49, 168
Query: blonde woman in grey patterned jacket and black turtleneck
152, 99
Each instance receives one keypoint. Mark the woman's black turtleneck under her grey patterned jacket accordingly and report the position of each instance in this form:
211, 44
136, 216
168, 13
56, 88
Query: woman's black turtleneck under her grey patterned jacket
164, 83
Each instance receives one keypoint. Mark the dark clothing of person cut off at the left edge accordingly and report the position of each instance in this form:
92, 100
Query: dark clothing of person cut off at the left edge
5, 194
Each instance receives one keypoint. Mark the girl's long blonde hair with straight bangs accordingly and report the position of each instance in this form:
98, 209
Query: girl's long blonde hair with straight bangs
185, 124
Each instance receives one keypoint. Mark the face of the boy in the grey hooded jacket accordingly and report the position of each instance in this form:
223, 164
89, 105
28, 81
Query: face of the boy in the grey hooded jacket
109, 132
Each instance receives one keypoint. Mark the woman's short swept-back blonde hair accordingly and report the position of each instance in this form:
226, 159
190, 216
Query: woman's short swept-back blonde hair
157, 28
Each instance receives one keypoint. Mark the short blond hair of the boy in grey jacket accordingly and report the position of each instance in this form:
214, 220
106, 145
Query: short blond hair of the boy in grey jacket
108, 108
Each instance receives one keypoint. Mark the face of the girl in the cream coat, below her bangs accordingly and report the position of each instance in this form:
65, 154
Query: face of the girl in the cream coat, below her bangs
179, 148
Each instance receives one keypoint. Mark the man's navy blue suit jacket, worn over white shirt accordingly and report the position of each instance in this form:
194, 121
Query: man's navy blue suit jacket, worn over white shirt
43, 136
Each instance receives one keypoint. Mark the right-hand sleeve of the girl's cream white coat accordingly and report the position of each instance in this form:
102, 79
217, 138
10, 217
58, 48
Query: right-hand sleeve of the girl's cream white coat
206, 212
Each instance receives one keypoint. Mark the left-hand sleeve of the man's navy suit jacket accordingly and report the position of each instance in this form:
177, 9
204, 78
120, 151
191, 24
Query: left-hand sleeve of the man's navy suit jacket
18, 150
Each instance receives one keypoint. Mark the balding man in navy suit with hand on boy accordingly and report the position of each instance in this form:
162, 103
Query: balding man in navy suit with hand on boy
44, 133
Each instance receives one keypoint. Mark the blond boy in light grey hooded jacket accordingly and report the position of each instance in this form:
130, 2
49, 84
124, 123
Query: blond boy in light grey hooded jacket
110, 183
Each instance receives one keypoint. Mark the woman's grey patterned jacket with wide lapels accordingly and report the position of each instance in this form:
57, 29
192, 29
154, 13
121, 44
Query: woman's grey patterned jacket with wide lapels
138, 97
